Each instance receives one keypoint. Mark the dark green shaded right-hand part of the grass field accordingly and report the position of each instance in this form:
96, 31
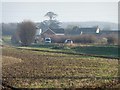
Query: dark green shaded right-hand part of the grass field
98, 50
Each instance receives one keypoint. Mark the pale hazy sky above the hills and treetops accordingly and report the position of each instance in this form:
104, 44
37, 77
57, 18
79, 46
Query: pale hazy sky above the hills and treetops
66, 11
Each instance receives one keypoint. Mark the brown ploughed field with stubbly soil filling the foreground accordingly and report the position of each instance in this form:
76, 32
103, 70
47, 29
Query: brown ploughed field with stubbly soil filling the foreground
37, 69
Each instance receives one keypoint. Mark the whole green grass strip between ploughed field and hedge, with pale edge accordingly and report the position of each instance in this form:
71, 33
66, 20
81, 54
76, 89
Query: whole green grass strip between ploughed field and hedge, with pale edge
101, 50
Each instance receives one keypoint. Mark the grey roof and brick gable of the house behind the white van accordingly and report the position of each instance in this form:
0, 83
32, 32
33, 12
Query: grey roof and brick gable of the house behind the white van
50, 32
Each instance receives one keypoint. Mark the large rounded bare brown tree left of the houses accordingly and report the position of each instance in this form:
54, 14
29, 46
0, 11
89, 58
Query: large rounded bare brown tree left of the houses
27, 30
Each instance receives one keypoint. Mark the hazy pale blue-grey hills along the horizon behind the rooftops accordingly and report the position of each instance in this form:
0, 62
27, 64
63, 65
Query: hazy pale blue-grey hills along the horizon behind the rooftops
112, 25
